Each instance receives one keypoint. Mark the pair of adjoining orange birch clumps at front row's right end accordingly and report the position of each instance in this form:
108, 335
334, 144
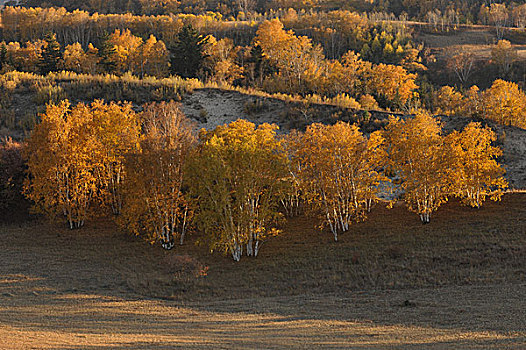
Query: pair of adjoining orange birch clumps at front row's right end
432, 167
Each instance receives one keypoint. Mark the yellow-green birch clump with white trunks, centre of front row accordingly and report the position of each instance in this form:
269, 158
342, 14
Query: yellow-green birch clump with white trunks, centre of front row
237, 178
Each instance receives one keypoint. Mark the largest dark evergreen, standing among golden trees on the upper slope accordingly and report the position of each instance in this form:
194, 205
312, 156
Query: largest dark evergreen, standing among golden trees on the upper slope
187, 54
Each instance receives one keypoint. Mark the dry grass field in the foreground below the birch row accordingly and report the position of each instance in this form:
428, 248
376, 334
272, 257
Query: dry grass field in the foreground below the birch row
457, 283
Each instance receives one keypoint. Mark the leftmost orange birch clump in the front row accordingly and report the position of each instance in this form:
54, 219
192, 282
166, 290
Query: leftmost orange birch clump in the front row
62, 176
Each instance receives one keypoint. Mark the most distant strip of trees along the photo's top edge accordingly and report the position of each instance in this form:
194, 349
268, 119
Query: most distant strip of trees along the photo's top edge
477, 11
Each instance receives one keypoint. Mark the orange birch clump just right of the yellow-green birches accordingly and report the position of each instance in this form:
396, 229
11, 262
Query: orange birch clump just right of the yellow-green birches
340, 172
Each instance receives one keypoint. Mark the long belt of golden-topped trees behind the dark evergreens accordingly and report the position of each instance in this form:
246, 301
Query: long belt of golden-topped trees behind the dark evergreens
337, 31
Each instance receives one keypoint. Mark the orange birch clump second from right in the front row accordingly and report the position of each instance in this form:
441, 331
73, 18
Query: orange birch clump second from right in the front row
416, 154
